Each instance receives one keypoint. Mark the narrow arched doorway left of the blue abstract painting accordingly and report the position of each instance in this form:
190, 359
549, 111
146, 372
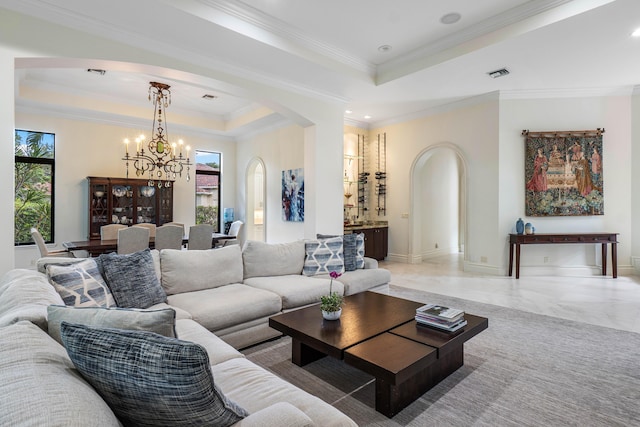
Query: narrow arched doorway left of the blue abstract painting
256, 206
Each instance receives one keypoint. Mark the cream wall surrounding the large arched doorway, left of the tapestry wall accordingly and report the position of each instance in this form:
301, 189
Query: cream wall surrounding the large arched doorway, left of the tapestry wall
473, 130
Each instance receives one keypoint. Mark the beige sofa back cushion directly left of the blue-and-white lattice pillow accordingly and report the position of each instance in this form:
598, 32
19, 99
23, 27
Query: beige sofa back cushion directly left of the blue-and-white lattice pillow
272, 259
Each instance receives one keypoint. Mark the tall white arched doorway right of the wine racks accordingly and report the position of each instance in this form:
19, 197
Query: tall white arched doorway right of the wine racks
438, 203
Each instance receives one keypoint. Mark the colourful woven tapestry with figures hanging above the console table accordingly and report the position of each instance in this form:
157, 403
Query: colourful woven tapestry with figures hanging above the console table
563, 173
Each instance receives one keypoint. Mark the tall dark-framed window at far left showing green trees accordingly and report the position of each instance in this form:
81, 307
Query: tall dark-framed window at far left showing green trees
34, 185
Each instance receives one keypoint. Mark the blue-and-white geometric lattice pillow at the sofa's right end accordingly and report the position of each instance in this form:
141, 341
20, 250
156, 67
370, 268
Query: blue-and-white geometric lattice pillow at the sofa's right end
323, 256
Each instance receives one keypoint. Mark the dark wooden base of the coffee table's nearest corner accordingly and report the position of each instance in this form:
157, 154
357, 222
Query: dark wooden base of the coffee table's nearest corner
391, 399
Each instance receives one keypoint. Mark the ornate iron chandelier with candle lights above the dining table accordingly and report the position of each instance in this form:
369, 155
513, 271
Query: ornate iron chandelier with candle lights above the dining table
161, 160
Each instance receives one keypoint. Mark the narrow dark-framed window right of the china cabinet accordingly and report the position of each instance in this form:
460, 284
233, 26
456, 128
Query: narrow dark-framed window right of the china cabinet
208, 189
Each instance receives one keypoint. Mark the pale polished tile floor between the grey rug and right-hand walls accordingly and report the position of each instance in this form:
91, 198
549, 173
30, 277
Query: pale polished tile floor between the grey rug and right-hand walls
604, 301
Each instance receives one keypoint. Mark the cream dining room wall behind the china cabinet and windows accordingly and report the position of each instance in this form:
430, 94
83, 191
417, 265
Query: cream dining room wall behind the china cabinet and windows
93, 149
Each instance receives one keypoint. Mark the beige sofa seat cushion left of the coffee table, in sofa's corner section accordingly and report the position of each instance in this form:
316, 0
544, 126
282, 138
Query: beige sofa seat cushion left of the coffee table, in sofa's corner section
227, 305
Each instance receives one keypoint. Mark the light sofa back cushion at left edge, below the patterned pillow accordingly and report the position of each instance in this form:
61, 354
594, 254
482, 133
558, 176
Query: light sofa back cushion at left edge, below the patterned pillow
25, 295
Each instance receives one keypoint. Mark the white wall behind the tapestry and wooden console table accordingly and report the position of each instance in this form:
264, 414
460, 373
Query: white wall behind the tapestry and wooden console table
611, 113
